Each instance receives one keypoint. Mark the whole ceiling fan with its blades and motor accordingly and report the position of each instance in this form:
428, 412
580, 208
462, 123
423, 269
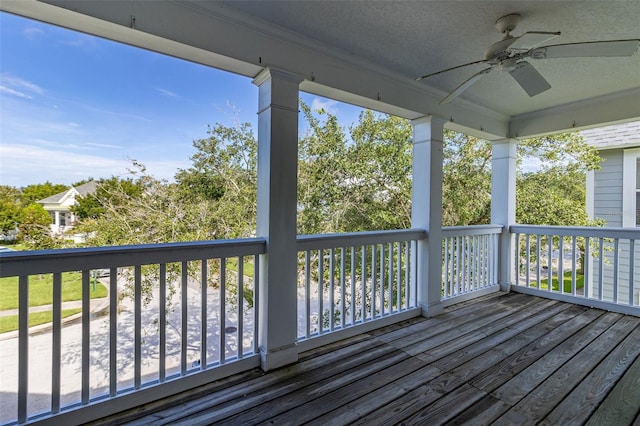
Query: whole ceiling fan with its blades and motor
509, 55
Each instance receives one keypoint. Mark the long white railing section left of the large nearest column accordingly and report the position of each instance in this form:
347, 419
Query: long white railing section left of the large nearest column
193, 307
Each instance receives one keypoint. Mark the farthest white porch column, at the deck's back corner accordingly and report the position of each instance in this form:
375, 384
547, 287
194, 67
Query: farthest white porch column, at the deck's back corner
503, 206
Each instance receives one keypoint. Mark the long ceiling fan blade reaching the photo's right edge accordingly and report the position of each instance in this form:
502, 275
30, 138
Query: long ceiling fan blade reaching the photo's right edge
588, 49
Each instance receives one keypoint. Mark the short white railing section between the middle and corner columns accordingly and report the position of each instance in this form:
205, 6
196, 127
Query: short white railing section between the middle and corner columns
469, 260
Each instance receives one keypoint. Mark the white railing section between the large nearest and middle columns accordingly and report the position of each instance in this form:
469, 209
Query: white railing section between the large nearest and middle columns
346, 280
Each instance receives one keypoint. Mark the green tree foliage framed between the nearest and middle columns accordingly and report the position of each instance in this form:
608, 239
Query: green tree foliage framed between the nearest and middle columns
355, 181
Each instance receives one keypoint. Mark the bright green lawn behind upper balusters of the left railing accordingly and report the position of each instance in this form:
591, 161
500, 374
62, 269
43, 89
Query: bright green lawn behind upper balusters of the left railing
40, 290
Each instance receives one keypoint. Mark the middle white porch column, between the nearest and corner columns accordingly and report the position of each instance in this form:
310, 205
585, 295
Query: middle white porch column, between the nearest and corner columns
426, 210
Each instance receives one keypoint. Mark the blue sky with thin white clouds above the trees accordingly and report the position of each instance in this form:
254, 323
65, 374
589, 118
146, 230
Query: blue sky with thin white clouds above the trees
74, 106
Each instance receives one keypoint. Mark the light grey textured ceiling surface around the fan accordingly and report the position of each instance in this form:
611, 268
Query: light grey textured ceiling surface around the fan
412, 38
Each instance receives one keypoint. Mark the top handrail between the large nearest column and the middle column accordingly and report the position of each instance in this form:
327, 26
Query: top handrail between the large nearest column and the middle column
328, 241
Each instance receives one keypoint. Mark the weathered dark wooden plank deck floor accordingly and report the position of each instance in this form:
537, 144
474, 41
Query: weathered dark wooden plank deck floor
503, 359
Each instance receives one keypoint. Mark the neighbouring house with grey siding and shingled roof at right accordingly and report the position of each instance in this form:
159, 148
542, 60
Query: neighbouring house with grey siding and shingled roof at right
613, 194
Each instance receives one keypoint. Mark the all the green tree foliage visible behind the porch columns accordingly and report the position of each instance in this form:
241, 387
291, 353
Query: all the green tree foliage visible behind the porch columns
350, 179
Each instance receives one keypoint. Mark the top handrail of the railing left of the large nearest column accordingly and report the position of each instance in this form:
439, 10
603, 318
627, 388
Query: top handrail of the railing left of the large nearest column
63, 260
